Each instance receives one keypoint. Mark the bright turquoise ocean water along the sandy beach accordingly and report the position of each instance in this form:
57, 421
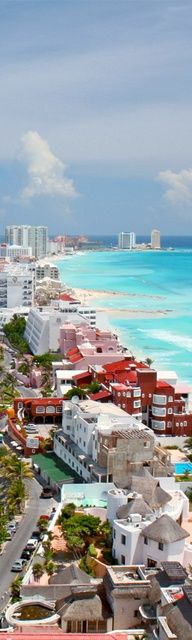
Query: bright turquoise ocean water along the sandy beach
149, 281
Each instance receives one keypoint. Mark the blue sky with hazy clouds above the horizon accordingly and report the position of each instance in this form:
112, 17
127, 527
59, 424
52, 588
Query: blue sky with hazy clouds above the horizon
95, 115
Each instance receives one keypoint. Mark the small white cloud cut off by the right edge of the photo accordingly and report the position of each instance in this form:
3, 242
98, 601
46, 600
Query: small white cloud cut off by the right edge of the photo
178, 185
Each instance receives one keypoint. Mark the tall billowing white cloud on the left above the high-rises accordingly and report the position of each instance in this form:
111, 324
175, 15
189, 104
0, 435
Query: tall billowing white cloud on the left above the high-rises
45, 171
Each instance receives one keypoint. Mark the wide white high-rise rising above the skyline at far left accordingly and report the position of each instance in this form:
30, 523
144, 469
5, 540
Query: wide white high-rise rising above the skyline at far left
28, 236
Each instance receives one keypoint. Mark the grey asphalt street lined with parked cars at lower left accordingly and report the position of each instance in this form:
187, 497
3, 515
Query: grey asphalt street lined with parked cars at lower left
14, 548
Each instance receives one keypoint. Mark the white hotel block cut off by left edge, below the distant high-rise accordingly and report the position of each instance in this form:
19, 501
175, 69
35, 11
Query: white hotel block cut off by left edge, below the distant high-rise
16, 286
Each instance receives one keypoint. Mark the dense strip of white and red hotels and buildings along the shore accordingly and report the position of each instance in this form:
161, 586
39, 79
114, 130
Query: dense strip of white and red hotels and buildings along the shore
105, 433
